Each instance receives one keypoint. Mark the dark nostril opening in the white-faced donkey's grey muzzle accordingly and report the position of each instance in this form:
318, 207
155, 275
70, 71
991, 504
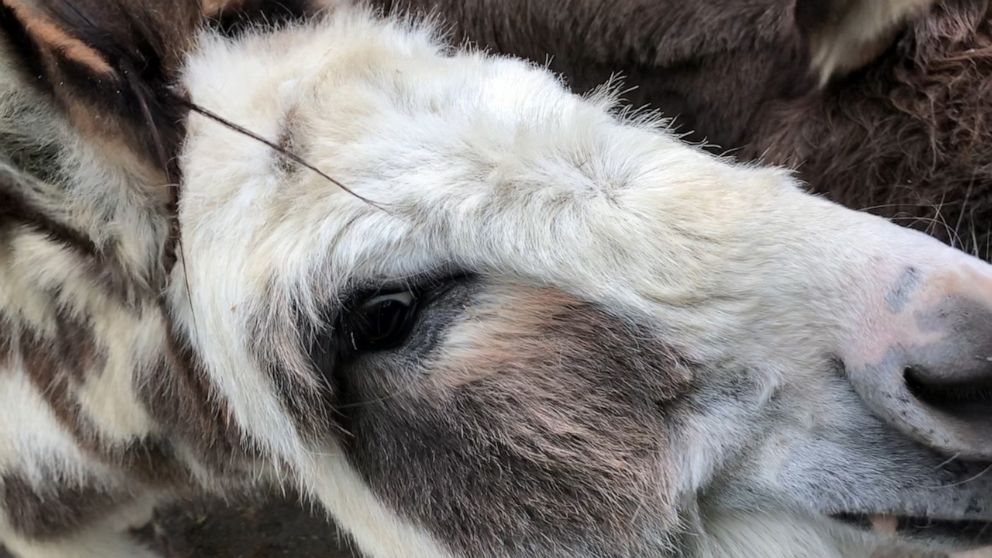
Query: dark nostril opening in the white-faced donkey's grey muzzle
969, 398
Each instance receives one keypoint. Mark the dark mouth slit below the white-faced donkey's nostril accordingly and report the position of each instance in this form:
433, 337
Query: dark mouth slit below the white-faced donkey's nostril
959, 531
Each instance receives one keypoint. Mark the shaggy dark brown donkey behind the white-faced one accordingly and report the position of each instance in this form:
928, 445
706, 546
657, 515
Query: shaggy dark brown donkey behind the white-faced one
905, 137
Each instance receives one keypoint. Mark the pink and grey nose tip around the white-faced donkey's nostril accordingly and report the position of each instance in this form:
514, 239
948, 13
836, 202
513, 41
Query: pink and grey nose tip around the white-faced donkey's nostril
925, 361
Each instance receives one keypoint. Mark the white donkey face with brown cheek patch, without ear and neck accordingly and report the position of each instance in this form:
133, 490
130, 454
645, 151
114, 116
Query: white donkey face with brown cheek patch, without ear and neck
517, 323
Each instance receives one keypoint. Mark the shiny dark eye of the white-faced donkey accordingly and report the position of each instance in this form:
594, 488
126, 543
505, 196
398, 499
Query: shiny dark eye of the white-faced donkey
381, 322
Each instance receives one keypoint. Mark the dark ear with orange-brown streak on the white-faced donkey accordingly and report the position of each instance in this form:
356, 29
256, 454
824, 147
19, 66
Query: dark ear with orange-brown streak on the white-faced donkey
110, 64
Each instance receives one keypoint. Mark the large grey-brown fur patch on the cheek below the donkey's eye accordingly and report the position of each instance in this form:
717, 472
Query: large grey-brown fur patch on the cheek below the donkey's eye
546, 438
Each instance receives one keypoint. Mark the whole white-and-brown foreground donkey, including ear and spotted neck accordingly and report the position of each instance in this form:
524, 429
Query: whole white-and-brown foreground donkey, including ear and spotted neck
466, 312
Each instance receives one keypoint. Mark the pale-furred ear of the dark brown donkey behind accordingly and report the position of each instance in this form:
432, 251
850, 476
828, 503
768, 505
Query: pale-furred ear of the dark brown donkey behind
845, 35
